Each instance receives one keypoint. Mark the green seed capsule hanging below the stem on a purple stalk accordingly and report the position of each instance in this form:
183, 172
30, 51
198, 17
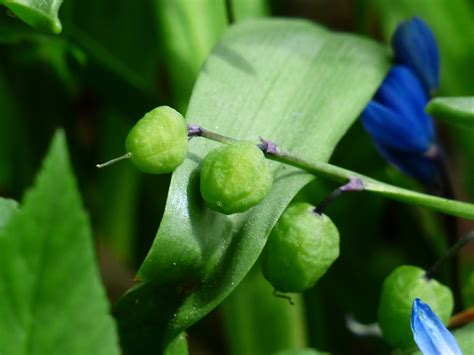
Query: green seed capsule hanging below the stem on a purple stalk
300, 249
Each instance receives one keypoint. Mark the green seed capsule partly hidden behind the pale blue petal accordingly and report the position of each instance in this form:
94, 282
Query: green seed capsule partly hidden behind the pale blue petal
399, 290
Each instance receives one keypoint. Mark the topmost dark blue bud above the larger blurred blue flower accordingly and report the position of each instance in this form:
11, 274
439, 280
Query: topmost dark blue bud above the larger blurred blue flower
415, 47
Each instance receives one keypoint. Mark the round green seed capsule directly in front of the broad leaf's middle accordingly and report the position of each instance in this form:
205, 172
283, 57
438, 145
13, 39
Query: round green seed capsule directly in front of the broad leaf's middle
235, 178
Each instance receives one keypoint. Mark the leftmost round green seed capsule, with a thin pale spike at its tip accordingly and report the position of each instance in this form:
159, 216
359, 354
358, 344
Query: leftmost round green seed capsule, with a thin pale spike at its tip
158, 143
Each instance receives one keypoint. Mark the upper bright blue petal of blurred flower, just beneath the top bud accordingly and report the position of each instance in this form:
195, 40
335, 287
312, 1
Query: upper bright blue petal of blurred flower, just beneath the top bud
402, 92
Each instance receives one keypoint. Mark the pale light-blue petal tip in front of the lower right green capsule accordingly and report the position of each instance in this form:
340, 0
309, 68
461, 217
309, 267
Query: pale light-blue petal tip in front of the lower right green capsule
429, 332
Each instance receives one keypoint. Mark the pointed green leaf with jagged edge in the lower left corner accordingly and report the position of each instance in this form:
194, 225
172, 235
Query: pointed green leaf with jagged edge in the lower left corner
51, 298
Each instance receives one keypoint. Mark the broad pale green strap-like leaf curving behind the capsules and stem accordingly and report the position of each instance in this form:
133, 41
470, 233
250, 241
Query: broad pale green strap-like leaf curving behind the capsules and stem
289, 81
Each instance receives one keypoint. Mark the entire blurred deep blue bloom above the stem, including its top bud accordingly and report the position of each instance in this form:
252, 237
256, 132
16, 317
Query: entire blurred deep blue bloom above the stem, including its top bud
401, 130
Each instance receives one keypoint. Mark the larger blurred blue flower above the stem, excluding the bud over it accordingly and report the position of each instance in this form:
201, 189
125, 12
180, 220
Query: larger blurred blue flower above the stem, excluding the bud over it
401, 130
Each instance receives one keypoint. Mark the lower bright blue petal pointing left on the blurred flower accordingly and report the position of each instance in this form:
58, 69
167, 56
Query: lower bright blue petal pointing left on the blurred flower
393, 130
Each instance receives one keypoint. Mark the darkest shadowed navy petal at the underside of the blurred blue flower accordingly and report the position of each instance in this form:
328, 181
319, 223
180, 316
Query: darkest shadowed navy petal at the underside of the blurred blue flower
424, 169
